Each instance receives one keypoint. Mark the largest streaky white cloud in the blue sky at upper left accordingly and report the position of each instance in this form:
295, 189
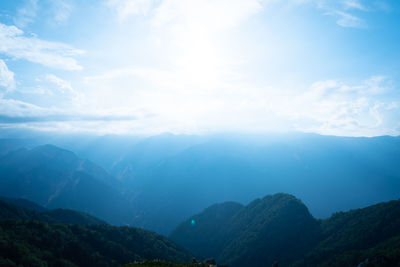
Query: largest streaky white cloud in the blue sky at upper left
51, 54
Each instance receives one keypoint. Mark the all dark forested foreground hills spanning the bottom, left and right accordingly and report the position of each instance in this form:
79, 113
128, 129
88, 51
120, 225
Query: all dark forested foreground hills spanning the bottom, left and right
277, 228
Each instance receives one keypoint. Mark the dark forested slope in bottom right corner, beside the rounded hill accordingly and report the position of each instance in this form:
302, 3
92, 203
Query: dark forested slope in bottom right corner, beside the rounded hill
352, 237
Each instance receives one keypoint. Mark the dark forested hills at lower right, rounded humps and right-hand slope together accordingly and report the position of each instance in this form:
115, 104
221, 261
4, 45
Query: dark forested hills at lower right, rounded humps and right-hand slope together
279, 229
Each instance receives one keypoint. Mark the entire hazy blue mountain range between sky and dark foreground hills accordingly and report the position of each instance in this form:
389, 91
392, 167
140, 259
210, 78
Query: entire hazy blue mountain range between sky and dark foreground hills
156, 182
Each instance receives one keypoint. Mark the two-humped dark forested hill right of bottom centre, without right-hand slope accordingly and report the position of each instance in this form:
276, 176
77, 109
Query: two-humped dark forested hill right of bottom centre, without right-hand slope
277, 227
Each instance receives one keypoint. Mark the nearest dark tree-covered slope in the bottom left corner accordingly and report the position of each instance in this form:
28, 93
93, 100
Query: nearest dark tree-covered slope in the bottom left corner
35, 243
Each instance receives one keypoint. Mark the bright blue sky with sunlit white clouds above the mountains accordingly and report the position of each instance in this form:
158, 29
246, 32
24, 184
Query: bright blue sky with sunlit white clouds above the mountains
200, 66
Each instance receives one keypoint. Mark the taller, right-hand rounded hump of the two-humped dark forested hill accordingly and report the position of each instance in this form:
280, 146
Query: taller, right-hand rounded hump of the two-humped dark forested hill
275, 228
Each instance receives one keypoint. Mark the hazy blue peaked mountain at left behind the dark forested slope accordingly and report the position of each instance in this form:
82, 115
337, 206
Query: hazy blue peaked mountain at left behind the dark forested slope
56, 178
